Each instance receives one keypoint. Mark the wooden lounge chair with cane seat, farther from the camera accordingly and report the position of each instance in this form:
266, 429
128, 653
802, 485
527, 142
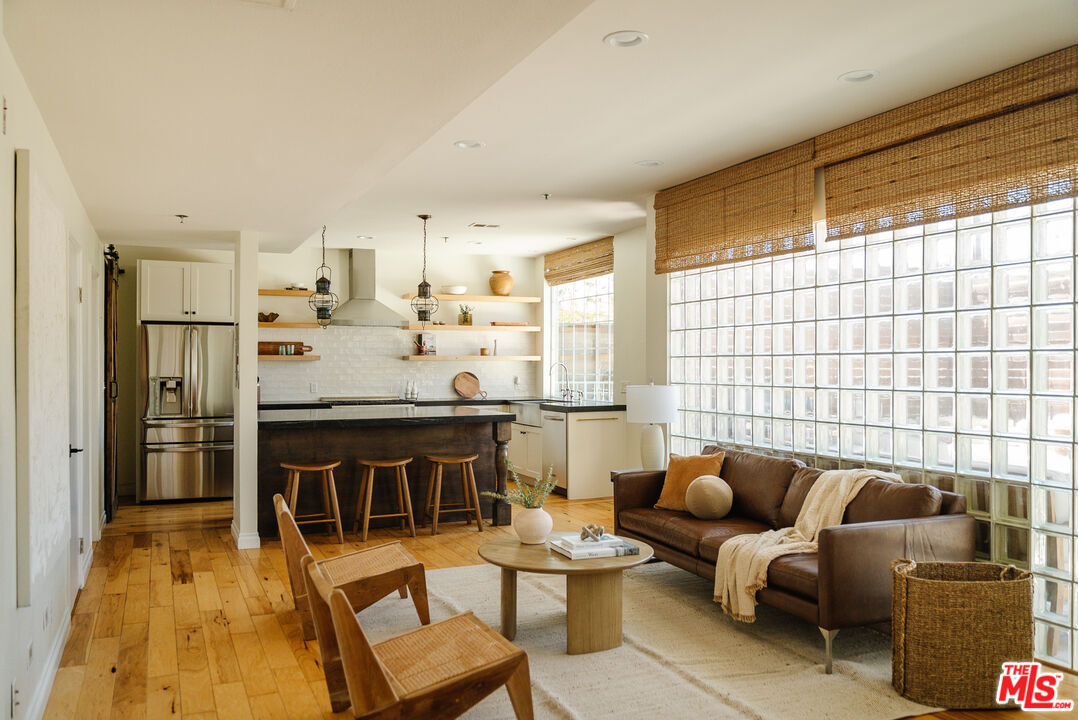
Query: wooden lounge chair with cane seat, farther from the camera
366, 576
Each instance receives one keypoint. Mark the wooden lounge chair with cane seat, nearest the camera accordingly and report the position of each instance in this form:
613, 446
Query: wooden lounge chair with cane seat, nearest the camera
435, 673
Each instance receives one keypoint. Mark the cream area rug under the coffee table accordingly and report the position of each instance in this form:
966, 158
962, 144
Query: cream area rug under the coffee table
681, 657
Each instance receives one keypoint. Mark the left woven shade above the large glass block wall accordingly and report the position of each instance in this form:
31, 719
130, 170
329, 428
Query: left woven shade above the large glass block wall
755, 210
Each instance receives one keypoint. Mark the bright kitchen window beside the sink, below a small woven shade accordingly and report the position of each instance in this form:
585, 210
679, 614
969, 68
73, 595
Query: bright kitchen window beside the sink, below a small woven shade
584, 315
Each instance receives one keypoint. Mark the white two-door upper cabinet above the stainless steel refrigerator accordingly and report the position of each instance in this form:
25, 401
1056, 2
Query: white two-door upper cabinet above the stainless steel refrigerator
186, 293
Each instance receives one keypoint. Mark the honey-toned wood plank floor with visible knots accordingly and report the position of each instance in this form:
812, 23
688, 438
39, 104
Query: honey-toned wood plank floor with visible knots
176, 622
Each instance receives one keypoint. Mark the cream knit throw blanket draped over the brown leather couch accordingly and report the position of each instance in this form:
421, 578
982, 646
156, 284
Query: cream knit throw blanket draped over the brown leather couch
742, 566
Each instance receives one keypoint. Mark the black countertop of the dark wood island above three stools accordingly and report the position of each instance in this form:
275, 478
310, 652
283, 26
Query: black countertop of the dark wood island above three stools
378, 417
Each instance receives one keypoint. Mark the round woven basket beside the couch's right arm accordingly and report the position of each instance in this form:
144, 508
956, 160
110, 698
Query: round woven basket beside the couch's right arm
953, 626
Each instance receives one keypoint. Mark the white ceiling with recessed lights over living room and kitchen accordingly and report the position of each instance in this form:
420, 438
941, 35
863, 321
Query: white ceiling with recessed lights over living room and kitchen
345, 113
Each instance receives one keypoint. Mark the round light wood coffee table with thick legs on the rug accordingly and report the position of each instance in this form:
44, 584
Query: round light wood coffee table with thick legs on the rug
592, 590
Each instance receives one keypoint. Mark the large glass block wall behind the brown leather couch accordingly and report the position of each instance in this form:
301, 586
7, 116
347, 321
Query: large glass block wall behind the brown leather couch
945, 353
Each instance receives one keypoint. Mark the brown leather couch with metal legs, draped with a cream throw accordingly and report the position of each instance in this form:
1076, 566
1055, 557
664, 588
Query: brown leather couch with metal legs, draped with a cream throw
848, 583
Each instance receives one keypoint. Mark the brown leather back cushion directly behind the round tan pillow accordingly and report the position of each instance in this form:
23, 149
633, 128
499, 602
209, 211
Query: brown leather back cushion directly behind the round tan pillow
759, 483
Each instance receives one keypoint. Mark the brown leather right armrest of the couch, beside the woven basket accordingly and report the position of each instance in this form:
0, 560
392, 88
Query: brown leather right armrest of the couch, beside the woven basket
855, 583
